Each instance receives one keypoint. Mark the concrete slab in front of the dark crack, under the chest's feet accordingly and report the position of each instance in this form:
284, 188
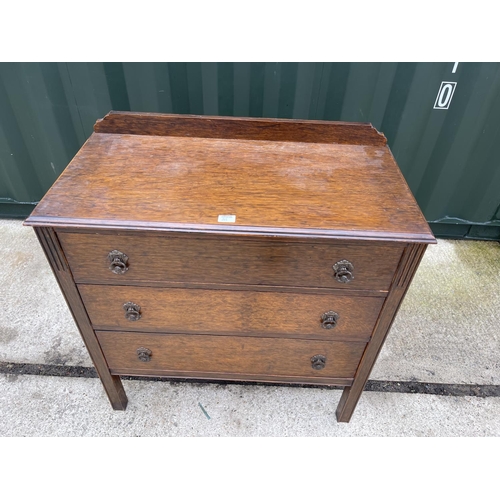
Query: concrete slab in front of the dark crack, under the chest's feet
54, 406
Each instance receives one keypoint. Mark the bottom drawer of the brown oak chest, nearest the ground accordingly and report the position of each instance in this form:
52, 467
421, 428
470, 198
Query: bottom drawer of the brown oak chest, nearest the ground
228, 357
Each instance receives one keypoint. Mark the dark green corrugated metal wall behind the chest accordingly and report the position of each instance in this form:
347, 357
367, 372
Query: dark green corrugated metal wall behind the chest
449, 156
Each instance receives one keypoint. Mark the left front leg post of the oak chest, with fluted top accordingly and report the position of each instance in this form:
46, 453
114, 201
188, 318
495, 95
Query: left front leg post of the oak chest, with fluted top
55, 255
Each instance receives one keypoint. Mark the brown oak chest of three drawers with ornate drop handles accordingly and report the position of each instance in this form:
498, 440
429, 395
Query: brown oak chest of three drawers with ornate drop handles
233, 249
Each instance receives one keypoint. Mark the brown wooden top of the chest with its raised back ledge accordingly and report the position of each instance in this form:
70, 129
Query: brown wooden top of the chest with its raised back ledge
173, 178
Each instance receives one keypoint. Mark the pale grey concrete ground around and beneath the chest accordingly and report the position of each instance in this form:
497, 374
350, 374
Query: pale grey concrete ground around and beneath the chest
446, 332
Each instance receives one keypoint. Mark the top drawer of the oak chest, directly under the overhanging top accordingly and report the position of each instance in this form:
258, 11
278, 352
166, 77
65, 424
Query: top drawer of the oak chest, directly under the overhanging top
228, 260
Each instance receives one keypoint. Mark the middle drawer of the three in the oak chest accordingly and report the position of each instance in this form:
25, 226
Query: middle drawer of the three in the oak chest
230, 312
